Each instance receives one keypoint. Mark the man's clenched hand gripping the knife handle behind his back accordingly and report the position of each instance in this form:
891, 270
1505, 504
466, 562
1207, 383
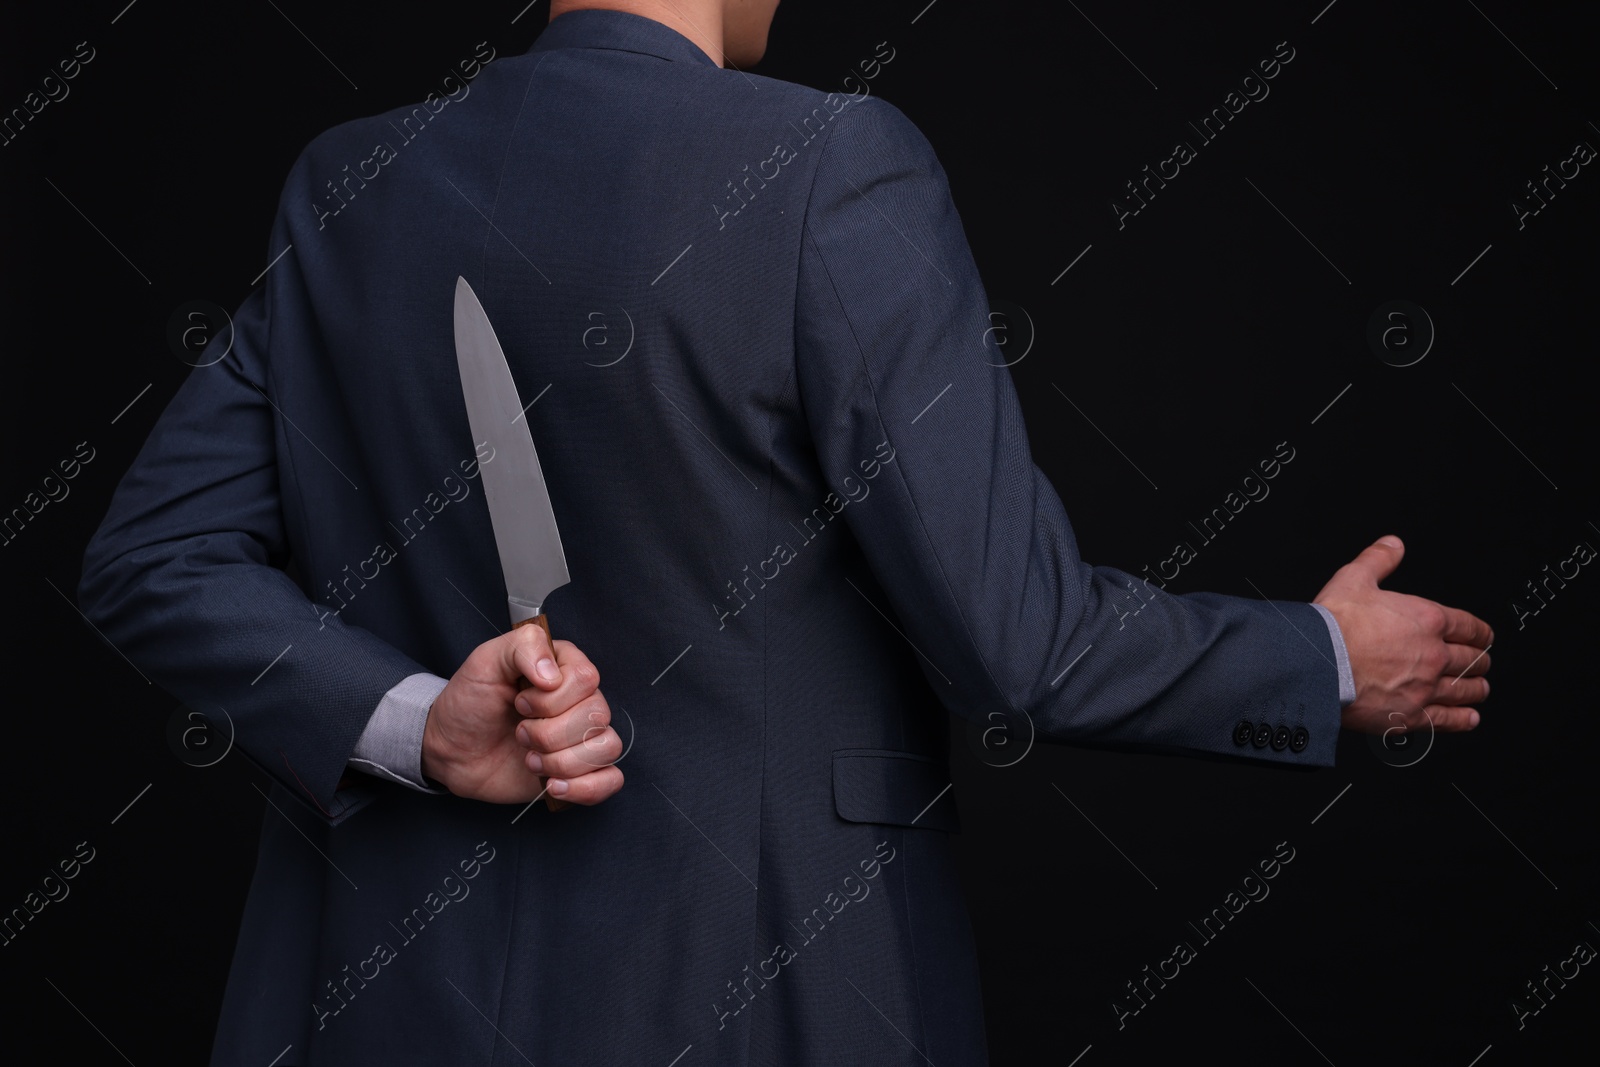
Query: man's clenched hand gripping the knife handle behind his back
490, 740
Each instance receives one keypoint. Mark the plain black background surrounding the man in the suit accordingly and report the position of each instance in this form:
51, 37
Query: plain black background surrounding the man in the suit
1218, 322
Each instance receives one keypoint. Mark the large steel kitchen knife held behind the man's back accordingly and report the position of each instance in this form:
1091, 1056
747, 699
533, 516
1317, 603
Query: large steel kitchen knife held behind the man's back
526, 535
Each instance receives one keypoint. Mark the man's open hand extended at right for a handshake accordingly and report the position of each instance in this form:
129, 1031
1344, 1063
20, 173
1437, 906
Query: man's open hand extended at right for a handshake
1415, 661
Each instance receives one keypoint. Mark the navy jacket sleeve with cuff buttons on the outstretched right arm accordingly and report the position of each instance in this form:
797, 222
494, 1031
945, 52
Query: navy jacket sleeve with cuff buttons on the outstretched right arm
967, 537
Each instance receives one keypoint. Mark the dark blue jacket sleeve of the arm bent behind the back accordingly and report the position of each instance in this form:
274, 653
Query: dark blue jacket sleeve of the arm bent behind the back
186, 577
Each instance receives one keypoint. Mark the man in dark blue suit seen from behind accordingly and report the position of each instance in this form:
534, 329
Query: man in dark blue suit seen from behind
802, 521
